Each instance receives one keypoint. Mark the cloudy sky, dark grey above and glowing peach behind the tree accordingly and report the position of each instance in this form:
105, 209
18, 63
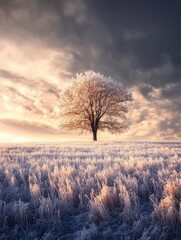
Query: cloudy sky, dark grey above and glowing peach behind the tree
45, 43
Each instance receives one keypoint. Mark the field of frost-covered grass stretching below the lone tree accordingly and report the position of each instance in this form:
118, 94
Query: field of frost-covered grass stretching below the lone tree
91, 191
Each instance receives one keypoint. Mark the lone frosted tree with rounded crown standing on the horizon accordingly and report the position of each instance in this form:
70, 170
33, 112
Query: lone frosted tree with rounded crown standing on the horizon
94, 102
